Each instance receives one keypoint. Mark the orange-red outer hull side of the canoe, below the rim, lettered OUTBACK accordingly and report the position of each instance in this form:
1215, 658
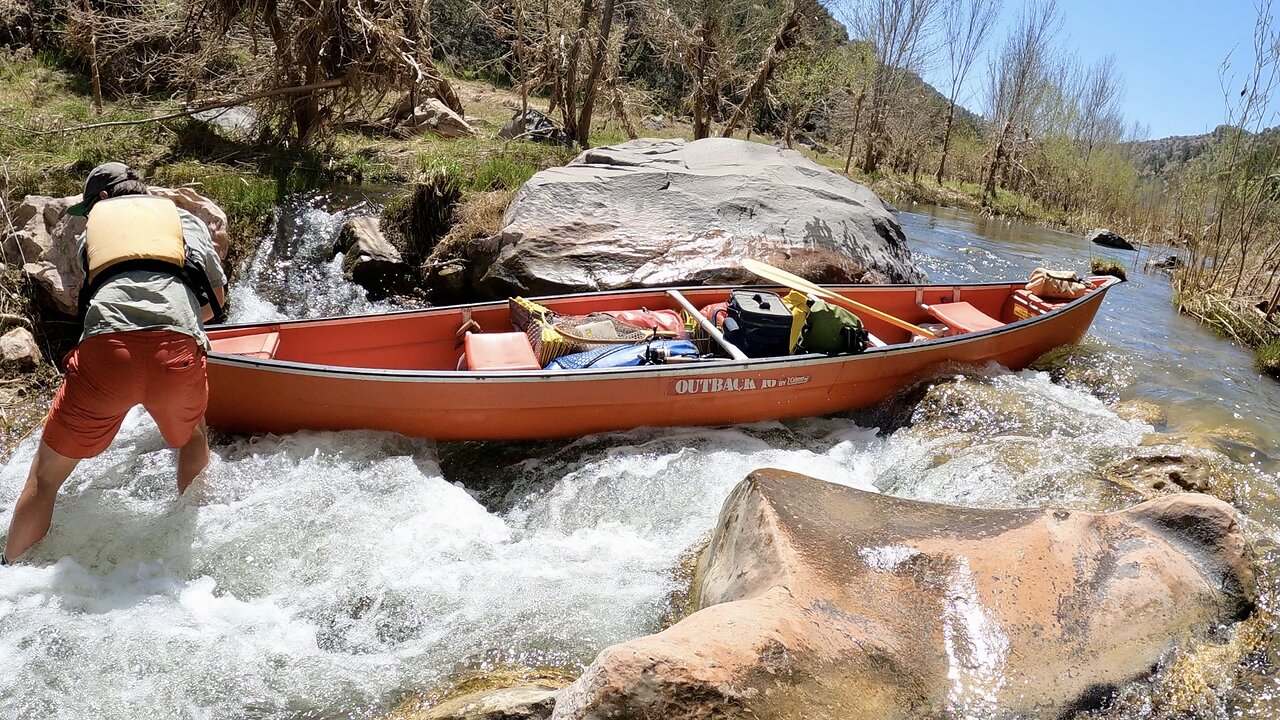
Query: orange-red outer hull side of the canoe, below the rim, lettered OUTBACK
266, 397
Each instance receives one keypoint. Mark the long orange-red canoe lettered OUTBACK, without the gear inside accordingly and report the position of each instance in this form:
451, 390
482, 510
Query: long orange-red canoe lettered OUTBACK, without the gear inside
396, 372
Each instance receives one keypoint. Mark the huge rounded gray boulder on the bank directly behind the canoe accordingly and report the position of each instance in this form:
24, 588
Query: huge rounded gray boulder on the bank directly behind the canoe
668, 212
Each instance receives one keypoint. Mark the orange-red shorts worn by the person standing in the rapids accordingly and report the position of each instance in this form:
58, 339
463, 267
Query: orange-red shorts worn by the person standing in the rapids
108, 375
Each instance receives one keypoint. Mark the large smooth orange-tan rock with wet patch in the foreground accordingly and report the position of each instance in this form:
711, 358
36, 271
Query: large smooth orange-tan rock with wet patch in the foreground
821, 601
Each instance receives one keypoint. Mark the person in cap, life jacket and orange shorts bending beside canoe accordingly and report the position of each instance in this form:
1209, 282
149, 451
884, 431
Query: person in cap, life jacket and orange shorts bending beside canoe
153, 279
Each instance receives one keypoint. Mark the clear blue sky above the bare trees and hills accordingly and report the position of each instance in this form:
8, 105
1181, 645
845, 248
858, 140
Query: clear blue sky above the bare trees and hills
1169, 52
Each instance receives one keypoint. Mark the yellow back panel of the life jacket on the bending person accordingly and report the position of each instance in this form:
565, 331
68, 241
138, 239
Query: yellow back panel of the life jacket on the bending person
130, 229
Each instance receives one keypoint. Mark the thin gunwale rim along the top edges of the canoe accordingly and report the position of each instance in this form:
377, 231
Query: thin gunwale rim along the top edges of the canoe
715, 367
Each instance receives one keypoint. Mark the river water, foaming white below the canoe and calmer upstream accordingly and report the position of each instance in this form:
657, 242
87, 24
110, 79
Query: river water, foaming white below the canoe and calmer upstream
331, 575
